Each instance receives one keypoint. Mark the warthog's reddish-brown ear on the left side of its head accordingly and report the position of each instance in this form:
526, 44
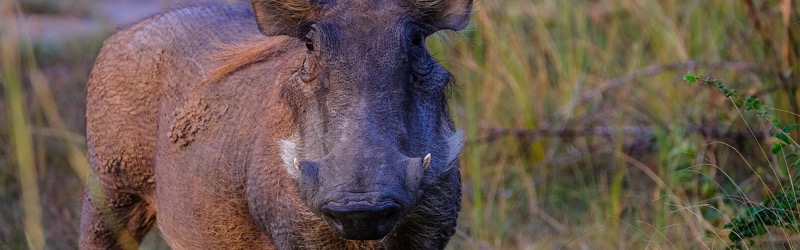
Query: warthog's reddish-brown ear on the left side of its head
286, 17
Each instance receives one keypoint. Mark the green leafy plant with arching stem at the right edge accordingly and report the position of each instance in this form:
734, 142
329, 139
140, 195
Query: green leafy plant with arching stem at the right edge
778, 209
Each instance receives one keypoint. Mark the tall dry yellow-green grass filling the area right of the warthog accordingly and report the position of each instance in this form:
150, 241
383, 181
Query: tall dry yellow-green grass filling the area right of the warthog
582, 133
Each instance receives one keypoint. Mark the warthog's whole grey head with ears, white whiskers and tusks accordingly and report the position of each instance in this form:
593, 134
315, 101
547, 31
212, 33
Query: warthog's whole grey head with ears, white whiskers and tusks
372, 128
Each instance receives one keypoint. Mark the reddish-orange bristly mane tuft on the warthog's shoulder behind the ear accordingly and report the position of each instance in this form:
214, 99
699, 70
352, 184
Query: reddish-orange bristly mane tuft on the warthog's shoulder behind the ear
234, 56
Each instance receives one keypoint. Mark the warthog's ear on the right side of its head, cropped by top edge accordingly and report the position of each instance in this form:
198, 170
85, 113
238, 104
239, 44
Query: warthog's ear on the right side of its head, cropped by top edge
444, 14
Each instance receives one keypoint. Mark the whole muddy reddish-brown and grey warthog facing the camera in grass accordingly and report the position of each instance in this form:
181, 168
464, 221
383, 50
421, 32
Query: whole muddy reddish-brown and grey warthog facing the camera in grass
287, 124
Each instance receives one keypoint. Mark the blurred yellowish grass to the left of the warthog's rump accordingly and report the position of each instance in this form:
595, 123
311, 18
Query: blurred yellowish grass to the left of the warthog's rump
41, 142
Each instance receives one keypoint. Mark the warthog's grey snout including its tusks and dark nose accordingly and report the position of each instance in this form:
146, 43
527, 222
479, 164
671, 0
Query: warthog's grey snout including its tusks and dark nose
362, 197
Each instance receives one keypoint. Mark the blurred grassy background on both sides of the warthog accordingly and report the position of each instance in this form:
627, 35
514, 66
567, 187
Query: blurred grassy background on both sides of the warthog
581, 133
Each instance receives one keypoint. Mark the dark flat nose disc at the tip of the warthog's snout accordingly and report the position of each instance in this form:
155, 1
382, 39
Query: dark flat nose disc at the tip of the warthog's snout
362, 221
